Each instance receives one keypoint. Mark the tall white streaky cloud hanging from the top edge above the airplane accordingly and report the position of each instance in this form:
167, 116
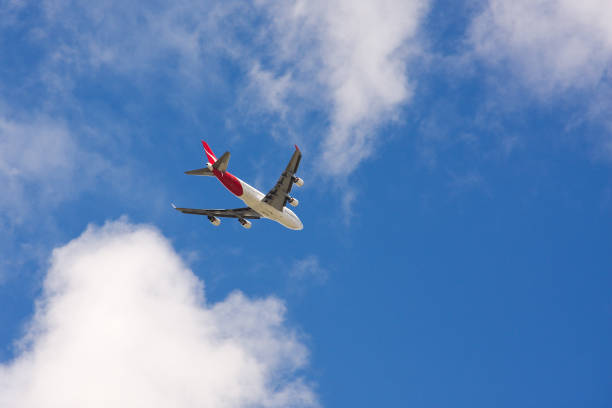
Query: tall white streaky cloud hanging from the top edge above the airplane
350, 59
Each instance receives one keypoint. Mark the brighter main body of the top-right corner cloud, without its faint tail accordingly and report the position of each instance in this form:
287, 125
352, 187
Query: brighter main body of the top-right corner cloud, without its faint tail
554, 45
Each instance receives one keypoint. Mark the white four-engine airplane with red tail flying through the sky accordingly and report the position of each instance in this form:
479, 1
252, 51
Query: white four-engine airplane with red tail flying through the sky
259, 205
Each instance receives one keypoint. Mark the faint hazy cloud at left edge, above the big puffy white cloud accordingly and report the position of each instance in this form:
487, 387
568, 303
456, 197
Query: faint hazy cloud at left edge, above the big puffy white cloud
41, 164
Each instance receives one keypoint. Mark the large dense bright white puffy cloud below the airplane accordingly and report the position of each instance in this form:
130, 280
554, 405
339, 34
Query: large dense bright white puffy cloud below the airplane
122, 322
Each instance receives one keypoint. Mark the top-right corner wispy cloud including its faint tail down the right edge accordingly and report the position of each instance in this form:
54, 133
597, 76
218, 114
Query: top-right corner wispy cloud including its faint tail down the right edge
557, 52
